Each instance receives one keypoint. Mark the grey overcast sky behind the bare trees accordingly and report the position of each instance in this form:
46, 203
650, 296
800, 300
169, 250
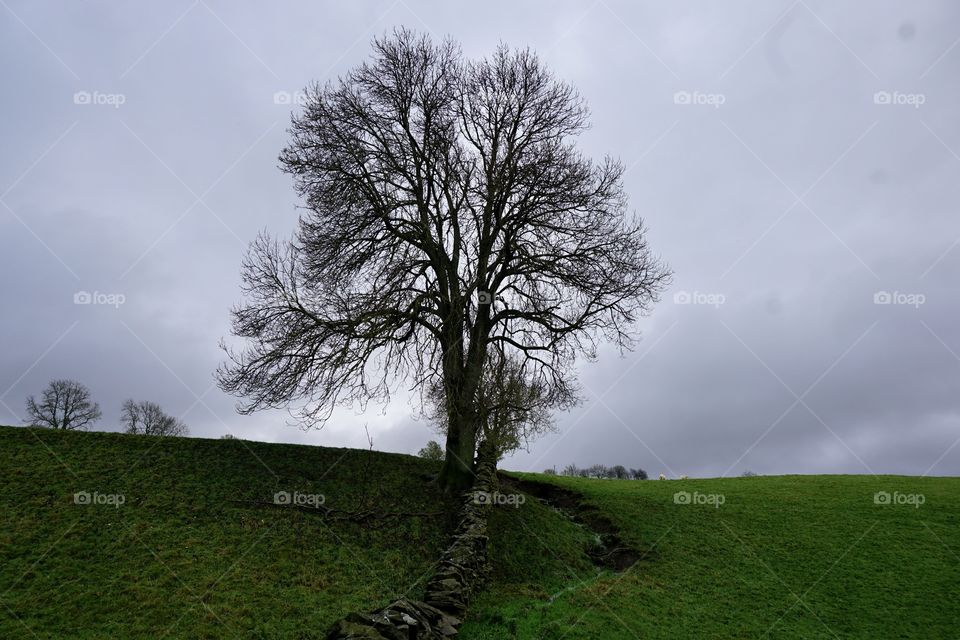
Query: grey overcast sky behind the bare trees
797, 163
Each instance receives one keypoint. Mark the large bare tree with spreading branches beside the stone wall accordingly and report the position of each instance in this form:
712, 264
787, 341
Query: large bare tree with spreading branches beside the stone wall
448, 212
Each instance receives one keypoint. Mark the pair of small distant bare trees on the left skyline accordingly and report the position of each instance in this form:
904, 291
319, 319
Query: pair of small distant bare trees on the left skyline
68, 405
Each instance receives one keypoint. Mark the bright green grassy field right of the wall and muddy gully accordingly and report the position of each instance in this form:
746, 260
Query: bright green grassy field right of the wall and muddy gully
781, 557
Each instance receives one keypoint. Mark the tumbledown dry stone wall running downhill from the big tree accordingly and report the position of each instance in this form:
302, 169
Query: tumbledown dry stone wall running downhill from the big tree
461, 571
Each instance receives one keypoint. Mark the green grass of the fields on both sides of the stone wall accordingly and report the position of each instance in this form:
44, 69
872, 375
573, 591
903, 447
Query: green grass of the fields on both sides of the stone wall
192, 553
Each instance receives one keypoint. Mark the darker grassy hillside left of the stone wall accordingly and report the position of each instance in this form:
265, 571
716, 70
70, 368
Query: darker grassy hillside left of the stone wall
185, 556
